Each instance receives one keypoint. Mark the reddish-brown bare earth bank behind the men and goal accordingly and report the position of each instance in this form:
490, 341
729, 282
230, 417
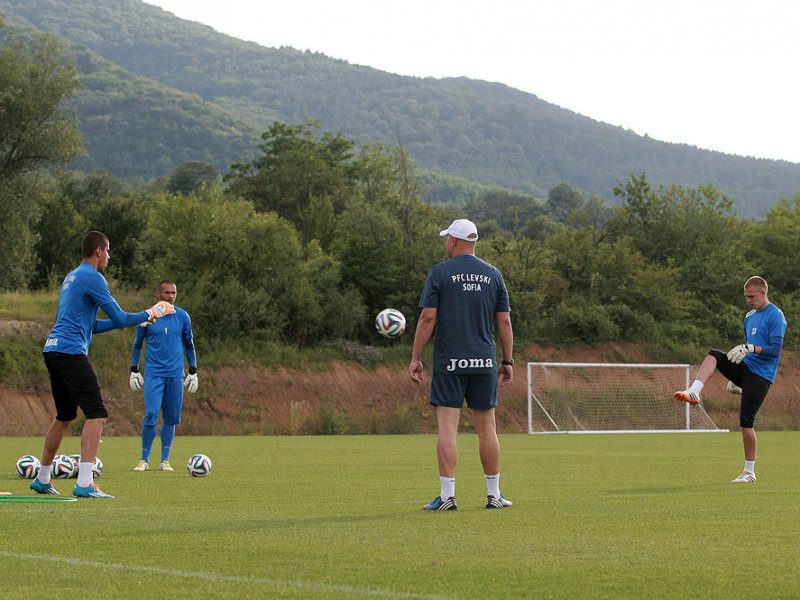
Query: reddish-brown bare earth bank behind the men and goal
347, 398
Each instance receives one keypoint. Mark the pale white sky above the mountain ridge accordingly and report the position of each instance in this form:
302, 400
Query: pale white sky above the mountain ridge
717, 74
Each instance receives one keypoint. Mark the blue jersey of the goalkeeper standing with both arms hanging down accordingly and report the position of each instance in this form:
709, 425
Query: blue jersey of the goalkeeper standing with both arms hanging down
168, 340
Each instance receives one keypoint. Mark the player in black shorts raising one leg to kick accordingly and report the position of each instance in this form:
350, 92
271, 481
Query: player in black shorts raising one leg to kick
750, 367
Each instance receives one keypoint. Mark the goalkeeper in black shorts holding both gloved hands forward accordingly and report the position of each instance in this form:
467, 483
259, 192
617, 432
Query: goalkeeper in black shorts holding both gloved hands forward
73, 380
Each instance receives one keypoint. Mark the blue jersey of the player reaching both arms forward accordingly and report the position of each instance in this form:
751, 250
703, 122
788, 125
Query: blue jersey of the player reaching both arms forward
83, 292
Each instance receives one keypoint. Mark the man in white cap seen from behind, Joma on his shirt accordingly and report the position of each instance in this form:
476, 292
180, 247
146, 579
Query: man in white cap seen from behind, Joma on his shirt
463, 298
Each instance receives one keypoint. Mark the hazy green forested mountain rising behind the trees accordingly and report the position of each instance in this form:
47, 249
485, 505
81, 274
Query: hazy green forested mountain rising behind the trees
159, 91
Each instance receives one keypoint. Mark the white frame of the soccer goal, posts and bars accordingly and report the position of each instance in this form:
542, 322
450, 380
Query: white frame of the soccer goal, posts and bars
534, 402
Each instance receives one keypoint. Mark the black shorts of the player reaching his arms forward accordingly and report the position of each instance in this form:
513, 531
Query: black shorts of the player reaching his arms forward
74, 383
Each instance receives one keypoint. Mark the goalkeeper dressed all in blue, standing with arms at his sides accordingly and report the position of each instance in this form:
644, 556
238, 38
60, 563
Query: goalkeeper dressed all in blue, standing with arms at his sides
167, 342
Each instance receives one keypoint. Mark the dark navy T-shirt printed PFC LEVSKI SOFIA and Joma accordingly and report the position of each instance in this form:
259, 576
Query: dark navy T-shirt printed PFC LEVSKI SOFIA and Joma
467, 293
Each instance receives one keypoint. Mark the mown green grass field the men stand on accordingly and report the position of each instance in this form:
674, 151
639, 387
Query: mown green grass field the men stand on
604, 516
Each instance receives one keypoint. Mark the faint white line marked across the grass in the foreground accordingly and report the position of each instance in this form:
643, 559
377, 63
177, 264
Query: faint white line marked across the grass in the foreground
222, 578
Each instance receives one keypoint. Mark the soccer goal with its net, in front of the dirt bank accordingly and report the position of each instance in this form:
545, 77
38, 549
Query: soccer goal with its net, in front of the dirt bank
611, 398
